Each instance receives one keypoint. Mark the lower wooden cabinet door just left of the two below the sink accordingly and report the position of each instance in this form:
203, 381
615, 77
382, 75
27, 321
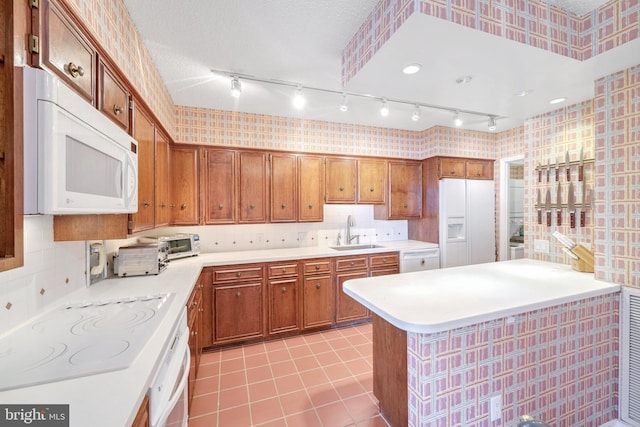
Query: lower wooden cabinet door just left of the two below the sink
317, 302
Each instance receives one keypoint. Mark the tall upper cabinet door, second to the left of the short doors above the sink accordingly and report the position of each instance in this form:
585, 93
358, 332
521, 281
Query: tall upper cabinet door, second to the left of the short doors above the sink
283, 187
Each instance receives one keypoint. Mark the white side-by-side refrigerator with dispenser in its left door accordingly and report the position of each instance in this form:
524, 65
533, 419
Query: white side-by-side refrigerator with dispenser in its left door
467, 222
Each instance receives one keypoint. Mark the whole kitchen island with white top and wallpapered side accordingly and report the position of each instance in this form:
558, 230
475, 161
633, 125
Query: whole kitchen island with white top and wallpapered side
537, 337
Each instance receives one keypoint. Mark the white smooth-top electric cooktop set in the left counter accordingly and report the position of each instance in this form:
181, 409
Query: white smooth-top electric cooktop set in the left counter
79, 339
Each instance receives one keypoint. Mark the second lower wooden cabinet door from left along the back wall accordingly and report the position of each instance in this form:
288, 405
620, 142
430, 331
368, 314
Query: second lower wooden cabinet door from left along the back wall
283, 305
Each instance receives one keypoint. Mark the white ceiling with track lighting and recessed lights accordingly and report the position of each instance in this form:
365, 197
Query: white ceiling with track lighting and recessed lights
302, 42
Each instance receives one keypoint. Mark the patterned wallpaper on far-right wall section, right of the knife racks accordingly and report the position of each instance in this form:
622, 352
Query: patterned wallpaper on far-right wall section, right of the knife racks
617, 174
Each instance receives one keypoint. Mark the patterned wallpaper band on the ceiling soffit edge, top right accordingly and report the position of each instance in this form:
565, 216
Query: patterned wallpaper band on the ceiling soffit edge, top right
531, 22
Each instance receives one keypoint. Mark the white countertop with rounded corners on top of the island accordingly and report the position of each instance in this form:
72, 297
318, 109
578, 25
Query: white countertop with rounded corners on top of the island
440, 300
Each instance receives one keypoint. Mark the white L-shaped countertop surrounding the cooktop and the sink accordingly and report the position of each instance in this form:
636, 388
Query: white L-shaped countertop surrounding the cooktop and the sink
112, 398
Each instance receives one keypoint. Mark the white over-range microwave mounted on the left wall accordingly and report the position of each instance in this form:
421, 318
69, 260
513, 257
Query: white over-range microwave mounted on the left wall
77, 161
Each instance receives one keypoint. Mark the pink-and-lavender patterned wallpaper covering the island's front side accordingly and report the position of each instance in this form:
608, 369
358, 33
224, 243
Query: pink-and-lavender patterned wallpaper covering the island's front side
558, 364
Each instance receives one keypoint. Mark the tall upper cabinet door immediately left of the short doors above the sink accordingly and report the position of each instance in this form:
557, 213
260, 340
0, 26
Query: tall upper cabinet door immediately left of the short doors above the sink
310, 188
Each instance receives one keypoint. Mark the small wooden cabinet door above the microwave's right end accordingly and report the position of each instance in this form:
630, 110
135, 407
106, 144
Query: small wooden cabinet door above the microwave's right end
113, 97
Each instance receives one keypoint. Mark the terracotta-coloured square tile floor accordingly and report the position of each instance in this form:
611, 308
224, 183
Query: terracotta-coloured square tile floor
320, 379
